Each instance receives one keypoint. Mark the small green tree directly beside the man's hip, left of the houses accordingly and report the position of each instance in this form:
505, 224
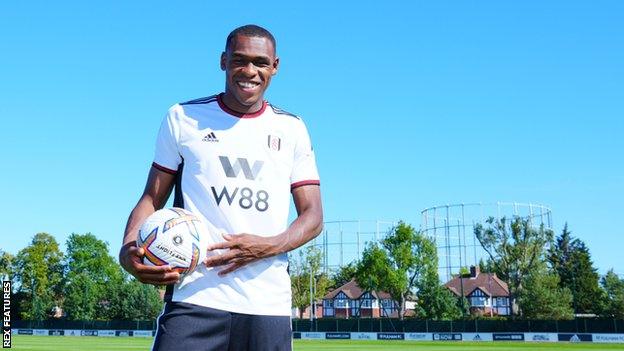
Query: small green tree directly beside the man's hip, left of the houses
306, 276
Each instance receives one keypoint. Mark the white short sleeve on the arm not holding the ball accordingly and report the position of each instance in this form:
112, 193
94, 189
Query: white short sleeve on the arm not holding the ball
304, 171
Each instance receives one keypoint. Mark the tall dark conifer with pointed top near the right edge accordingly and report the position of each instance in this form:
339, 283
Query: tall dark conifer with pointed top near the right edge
571, 260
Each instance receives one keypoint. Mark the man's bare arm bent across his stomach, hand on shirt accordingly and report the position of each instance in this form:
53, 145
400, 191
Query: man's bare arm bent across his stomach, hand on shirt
246, 248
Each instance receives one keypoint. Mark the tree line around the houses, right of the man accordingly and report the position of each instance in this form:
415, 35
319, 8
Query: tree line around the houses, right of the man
548, 277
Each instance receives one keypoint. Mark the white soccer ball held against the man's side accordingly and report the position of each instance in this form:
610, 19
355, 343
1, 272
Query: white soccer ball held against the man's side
175, 237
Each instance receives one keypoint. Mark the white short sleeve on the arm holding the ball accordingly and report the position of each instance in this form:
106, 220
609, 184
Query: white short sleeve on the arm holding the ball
167, 156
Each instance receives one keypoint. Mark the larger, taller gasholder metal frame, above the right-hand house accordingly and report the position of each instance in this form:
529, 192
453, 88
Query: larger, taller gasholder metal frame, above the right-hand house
452, 228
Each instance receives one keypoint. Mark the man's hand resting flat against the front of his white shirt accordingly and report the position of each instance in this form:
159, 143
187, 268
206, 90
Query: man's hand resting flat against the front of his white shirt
241, 250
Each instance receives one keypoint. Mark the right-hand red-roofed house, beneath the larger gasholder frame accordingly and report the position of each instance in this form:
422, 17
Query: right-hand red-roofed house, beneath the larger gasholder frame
487, 294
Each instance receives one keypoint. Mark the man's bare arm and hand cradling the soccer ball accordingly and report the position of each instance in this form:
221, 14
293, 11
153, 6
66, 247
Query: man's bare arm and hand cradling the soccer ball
157, 190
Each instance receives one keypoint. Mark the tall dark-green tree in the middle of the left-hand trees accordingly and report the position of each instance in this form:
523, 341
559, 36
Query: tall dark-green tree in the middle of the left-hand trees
91, 274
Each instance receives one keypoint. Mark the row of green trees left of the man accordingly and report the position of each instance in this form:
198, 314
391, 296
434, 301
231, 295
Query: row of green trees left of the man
83, 283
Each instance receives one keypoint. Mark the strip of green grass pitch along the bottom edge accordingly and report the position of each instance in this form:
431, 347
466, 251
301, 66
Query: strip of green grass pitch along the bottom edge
69, 343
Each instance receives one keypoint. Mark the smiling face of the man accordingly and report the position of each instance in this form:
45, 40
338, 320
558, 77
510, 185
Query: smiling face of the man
249, 63
